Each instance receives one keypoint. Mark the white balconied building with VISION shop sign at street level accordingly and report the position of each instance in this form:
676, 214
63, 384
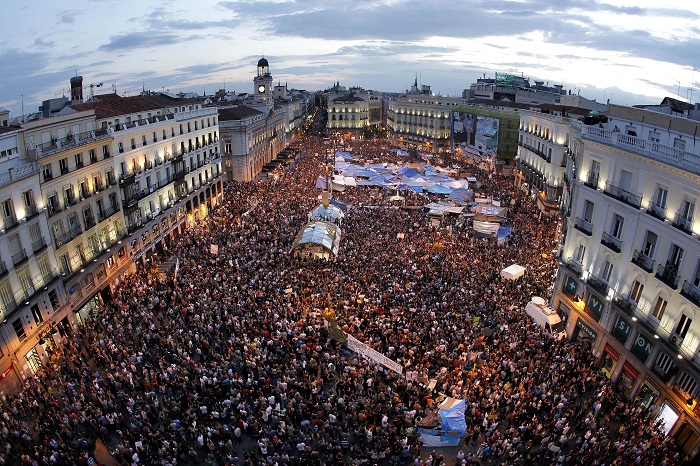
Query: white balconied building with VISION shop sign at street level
629, 280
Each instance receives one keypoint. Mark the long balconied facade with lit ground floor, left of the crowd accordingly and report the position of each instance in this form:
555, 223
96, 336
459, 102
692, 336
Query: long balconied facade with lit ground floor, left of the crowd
92, 192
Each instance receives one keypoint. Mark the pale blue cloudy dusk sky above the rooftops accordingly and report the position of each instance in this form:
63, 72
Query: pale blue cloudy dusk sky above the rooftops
630, 51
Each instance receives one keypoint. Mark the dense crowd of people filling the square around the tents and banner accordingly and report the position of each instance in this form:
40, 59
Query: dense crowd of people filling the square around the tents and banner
232, 363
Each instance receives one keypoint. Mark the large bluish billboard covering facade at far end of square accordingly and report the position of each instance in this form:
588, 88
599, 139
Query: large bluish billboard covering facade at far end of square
476, 135
